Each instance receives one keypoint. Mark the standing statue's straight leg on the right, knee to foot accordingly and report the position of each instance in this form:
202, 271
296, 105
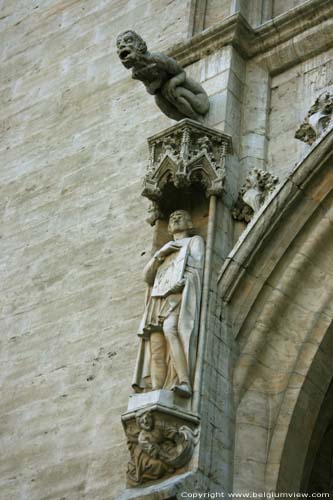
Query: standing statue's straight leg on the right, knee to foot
170, 328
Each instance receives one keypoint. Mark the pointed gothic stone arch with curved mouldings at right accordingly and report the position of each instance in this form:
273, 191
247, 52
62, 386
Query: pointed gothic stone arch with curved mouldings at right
277, 296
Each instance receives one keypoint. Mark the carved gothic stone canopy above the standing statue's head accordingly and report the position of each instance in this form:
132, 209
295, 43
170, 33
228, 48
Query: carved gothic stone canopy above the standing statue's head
187, 153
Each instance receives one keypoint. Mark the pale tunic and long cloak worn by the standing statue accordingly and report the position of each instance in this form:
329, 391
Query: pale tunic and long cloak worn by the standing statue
187, 264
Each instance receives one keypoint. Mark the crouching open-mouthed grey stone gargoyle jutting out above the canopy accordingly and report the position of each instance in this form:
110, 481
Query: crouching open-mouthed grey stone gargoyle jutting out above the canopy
177, 95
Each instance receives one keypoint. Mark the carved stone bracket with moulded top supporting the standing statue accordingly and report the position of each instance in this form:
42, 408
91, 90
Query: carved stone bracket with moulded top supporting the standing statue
161, 441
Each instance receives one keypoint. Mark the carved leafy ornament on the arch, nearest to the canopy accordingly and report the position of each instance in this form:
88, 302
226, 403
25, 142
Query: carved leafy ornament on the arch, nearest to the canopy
258, 185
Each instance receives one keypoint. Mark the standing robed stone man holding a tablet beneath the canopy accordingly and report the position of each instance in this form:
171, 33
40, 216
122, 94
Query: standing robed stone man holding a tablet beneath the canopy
169, 326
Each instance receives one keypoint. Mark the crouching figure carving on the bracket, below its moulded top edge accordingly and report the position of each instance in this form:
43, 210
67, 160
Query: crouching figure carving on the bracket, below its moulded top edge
158, 446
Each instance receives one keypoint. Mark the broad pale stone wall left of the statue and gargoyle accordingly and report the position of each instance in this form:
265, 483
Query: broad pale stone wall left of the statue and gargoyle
73, 239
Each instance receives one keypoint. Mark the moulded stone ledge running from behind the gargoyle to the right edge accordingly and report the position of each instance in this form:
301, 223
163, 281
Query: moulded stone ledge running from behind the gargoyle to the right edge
271, 35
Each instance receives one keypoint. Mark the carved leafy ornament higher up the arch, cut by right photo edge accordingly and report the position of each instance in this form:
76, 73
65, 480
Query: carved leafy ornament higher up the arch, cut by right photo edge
317, 119
